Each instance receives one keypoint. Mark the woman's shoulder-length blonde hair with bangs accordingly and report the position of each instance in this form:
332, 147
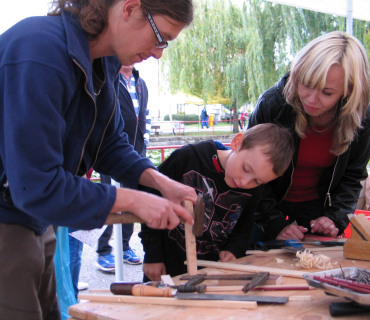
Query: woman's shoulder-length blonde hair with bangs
310, 68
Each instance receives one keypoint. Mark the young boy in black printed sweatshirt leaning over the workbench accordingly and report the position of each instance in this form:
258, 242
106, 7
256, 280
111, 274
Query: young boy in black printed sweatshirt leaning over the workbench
231, 183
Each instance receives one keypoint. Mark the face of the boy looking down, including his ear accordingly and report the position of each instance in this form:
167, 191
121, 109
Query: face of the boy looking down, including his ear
247, 168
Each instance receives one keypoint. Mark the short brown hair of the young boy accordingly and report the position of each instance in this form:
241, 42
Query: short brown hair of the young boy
277, 143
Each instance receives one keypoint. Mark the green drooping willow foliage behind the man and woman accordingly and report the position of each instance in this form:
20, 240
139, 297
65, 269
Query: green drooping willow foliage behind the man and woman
237, 53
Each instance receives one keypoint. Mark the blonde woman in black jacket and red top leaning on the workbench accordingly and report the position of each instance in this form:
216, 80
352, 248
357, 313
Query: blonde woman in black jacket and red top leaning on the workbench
324, 101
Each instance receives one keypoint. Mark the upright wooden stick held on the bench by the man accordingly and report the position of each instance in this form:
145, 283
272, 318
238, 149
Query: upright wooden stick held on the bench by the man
190, 242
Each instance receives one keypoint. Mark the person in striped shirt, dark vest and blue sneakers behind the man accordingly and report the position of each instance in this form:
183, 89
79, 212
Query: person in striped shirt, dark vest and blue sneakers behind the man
133, 98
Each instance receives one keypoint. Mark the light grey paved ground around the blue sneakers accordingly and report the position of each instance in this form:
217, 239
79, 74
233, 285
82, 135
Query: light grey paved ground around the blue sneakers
98, 279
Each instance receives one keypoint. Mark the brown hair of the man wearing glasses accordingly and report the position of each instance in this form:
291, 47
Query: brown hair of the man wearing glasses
93, 14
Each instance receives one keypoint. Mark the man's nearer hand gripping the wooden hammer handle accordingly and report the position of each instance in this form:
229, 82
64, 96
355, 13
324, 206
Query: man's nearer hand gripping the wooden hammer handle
157, 212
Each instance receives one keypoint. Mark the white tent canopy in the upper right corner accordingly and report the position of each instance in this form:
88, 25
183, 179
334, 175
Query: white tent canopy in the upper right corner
357, 9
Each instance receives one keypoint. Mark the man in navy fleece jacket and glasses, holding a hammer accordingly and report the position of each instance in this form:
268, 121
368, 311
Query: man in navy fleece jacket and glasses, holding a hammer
60, 74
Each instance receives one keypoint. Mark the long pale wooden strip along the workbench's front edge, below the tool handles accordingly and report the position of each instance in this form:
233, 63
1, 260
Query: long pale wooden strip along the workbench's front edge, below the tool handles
251, 305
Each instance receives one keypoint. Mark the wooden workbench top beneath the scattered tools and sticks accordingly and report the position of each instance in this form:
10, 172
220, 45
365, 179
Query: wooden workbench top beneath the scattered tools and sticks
315, 309
